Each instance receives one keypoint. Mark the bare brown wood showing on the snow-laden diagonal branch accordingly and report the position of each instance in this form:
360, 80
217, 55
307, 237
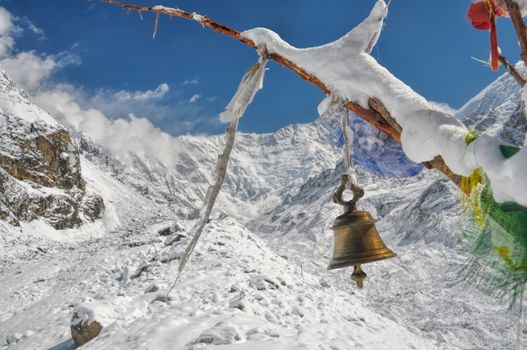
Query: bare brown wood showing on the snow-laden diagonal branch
377, 115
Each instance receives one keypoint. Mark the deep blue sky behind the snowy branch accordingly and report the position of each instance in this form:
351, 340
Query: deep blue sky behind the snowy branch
427, 44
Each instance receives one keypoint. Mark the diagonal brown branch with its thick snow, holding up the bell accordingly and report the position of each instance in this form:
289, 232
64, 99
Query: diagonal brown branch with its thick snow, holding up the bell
344, 68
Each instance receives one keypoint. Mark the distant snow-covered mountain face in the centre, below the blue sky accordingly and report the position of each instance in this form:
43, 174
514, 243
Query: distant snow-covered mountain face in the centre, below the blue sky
262, 167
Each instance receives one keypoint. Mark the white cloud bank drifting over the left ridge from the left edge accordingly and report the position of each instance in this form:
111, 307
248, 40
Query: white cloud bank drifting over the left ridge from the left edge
107, 116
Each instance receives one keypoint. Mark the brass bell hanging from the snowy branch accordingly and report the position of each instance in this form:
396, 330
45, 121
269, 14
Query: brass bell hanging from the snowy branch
357, 241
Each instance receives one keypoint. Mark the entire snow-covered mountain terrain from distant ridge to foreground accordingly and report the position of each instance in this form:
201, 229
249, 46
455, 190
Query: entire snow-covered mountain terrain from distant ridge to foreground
258, 279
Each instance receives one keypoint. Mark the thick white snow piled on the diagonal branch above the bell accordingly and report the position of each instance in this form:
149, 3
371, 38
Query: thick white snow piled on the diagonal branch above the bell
348, 70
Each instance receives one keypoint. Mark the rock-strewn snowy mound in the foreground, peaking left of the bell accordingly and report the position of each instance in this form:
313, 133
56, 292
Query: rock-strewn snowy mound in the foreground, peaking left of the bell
237, 294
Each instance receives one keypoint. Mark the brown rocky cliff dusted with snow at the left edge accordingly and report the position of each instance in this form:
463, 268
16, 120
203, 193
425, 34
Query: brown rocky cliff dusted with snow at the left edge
40, 174
